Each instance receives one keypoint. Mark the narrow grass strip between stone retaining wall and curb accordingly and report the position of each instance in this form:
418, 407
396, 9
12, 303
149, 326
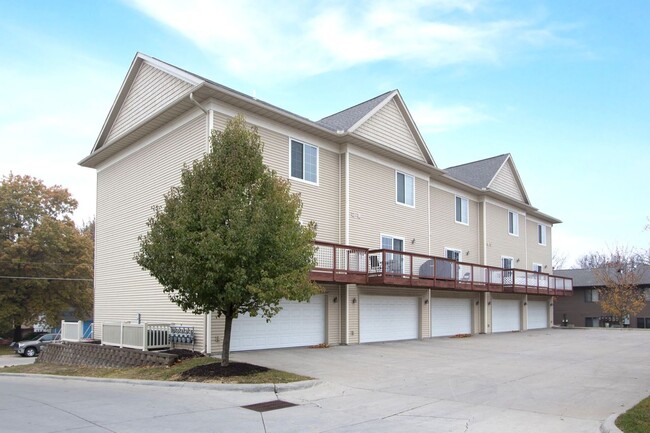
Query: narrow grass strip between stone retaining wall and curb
156, 373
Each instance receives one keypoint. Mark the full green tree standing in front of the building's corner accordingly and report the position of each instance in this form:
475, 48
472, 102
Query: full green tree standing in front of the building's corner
229, 240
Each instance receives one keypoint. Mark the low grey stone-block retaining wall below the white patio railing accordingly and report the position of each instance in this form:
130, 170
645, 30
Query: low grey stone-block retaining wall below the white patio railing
94, 355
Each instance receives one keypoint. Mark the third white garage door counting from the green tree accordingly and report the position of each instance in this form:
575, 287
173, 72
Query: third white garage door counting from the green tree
451, 316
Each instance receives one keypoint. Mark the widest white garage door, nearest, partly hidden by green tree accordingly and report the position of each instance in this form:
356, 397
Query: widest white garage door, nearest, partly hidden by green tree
297, 324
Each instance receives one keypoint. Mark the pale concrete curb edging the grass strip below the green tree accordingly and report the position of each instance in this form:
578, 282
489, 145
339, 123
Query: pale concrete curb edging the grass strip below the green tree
265, 387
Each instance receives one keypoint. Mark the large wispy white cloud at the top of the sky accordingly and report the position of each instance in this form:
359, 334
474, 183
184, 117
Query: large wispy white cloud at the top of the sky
284, 40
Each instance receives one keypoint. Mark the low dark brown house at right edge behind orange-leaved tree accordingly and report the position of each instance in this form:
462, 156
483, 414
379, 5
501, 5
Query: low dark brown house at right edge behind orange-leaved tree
583, 308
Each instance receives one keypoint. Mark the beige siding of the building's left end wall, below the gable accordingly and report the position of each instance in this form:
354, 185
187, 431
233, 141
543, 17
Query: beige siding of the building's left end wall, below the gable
126, 192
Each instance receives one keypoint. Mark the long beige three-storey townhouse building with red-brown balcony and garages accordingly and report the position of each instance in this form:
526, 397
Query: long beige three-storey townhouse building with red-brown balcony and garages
405, 249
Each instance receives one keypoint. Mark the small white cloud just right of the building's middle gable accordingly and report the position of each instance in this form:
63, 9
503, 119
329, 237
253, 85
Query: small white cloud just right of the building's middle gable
433, 119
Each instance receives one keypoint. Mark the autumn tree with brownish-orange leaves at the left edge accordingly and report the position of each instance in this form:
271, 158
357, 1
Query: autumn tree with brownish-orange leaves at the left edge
46, 262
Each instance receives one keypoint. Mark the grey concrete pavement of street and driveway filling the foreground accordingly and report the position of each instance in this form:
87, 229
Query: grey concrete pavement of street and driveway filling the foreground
537, 381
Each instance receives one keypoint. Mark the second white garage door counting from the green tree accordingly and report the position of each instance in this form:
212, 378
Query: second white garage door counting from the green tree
386, 318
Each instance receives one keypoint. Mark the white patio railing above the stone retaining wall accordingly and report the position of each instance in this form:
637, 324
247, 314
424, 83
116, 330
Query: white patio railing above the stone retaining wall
143, 336
